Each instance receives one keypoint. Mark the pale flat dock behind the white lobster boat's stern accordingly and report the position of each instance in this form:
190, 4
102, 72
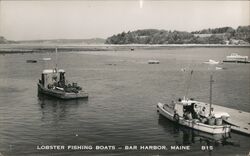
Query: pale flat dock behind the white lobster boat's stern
239, 120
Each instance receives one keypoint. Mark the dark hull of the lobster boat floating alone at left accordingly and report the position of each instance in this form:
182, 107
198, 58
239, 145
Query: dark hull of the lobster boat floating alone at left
61, 94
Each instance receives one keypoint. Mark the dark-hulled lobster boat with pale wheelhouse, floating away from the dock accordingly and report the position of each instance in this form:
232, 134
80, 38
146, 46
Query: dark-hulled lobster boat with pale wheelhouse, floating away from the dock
53, 83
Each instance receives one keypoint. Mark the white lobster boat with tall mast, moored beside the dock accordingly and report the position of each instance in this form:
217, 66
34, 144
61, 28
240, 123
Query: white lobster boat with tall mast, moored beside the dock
196, 115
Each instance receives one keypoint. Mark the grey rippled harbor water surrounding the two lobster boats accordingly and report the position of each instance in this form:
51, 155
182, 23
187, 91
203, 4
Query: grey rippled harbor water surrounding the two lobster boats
123, 93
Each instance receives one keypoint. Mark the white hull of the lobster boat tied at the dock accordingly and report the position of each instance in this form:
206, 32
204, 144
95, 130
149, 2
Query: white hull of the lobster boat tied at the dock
212, 129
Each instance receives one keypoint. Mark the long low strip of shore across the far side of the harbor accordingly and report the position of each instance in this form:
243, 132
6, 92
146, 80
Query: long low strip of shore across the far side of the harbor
38, 48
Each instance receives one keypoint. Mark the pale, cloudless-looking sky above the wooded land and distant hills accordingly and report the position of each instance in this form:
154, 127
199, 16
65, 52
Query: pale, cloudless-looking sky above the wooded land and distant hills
27, 20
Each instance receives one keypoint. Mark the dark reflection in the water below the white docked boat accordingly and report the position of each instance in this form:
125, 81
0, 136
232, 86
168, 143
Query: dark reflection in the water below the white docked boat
188, 136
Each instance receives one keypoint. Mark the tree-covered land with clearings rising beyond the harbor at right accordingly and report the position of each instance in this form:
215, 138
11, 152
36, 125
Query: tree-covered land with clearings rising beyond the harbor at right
223, 35
